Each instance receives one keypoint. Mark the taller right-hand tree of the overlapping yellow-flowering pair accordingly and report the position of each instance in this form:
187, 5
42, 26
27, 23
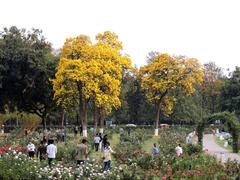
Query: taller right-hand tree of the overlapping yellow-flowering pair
112, 65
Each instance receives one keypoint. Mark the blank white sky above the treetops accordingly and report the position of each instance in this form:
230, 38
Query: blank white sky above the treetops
208, 30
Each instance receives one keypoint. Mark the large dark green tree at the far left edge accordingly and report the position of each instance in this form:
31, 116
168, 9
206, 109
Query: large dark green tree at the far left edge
26, 64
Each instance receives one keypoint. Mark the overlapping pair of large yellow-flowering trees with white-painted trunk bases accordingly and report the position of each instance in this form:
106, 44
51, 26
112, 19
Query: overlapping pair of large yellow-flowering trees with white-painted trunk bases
90, 72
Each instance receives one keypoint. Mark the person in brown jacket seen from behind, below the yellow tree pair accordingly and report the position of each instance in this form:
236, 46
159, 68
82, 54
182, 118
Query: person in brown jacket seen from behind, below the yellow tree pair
81, 152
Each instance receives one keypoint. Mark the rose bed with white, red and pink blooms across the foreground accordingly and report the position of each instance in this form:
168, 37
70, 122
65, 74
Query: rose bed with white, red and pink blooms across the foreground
130, 161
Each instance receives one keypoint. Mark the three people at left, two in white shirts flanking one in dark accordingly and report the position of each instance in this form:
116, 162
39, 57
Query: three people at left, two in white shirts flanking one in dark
43, 151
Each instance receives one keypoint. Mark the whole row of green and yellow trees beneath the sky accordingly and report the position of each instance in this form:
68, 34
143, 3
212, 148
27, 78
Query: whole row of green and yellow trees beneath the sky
85, 83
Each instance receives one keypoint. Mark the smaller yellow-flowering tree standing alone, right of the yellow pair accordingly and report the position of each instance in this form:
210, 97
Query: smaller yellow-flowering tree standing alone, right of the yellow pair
163, 75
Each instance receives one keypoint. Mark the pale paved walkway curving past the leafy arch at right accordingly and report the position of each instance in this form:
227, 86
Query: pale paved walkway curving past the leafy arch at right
214, 149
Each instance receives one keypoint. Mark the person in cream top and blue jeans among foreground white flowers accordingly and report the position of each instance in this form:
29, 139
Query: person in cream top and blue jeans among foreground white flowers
107, 157
